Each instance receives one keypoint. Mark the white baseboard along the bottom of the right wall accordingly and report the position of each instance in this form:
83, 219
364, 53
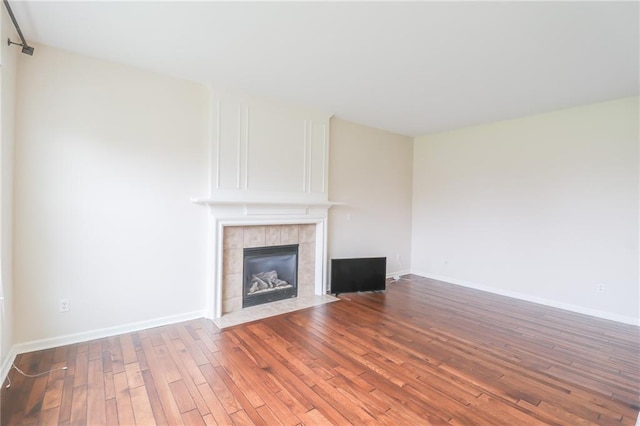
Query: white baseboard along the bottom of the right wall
539, 300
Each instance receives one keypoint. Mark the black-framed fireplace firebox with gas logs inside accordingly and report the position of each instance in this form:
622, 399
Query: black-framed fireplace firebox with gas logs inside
269, 274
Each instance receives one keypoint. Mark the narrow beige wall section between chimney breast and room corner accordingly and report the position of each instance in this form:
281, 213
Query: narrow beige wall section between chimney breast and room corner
370, 170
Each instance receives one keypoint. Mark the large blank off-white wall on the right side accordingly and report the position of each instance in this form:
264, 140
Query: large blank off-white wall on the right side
544, 207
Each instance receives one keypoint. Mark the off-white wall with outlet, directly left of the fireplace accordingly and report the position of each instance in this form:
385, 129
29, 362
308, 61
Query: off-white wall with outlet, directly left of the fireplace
107, 158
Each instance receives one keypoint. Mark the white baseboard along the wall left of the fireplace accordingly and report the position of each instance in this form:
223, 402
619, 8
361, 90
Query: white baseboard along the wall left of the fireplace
69, 339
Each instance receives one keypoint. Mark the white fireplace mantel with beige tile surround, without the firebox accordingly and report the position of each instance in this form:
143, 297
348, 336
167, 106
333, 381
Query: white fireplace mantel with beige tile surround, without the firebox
235, 225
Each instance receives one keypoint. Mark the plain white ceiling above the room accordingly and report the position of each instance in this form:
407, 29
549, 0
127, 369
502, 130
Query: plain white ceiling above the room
411, 68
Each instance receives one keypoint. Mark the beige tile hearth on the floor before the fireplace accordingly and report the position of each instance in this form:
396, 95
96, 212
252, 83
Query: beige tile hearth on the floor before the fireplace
267, 310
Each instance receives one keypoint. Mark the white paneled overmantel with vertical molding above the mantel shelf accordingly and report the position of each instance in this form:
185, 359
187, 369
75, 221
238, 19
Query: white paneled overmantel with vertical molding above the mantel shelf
267, 150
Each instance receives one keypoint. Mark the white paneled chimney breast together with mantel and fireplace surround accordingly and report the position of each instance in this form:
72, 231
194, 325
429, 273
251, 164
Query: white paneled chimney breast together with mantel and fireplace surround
269, 175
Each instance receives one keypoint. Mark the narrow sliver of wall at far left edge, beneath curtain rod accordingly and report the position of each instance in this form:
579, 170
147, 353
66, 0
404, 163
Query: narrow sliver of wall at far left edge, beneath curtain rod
7, 89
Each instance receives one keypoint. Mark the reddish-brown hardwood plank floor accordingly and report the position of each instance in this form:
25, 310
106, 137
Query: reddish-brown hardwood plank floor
425, 352
